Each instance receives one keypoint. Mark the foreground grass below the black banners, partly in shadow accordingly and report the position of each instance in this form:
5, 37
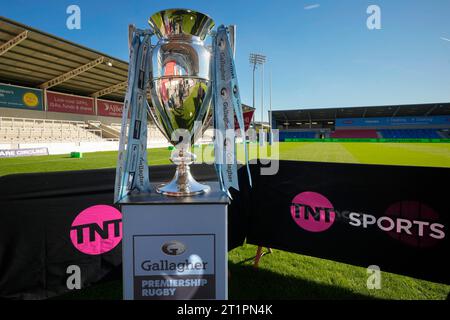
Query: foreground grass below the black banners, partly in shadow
290, 276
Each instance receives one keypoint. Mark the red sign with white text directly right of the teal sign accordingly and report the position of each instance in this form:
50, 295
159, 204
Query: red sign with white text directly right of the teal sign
58, 102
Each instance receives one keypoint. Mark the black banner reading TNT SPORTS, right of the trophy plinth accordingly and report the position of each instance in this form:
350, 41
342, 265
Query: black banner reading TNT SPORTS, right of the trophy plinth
396, 218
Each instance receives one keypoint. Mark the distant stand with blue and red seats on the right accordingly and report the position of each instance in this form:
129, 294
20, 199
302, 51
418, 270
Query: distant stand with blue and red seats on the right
419, 122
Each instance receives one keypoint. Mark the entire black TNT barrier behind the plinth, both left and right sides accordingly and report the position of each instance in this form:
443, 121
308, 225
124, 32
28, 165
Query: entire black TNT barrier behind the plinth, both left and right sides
394, 217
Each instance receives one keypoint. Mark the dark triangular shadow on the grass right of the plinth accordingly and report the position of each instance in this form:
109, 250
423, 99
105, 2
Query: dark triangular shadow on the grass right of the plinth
246, 282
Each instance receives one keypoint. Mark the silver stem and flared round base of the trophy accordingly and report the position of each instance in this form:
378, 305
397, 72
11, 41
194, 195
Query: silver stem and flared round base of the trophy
183, 183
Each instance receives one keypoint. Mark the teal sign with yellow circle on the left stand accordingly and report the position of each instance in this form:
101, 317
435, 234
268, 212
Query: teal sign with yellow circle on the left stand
20, 97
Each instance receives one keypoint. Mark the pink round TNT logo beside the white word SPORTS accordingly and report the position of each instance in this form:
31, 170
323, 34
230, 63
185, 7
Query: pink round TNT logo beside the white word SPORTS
312, 211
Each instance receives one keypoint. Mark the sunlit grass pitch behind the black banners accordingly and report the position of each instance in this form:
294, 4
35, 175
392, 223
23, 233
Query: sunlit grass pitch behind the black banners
408, 154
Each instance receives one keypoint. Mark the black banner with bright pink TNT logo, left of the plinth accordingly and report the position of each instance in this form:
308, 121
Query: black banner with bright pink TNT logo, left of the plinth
52, 223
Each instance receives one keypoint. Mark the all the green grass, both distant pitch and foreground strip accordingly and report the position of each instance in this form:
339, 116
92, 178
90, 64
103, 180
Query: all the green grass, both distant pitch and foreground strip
282, 275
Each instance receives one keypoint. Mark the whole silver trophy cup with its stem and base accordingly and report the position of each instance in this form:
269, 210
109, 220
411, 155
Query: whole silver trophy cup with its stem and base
180, 89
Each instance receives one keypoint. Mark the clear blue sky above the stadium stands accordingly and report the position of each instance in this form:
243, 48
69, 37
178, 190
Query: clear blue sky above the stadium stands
320, 52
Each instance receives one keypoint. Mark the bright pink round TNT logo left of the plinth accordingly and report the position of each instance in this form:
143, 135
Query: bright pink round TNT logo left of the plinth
97, 229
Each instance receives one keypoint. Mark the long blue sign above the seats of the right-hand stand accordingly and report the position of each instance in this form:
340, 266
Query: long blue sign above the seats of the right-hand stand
393, 121
